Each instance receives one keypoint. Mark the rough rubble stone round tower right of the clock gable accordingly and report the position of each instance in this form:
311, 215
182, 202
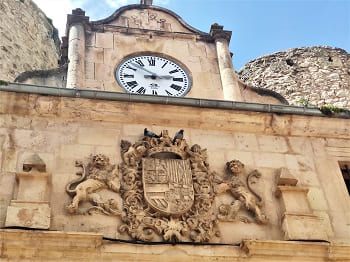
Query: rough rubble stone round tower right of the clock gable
312, 75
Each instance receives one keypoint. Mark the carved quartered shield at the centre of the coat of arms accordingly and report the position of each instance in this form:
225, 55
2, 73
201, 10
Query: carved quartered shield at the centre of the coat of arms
168, 185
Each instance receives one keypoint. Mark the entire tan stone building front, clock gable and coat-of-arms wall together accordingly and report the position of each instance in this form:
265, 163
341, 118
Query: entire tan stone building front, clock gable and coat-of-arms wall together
125, 177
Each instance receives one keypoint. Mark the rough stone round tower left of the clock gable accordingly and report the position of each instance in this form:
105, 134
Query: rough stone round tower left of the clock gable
28, 39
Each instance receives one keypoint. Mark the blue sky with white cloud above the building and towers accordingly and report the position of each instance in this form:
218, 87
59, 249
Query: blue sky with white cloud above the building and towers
258, 27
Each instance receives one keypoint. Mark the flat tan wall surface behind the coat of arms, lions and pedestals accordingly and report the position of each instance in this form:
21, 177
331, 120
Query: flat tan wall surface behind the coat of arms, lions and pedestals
61, 130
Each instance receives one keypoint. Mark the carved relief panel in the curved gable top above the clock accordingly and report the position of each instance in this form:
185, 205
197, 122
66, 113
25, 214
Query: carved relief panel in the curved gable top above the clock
146, 19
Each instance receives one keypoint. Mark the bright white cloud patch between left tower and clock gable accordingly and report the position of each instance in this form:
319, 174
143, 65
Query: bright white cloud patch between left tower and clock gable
57, 10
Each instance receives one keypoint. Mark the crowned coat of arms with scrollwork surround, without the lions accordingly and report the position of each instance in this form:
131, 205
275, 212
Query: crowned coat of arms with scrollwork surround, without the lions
170, 196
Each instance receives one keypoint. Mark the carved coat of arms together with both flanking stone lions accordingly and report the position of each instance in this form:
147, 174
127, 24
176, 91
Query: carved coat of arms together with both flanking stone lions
168, 190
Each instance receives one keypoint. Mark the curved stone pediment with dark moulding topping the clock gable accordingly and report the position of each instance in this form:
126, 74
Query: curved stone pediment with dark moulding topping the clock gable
149, 18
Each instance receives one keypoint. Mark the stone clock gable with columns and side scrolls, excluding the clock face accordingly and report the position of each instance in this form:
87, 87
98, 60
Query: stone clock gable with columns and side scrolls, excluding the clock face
93, 50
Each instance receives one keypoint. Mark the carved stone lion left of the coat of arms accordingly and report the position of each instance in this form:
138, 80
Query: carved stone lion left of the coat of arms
97, 174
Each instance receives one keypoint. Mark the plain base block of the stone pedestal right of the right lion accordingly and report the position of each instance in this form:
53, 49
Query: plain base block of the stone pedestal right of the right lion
303, 227
